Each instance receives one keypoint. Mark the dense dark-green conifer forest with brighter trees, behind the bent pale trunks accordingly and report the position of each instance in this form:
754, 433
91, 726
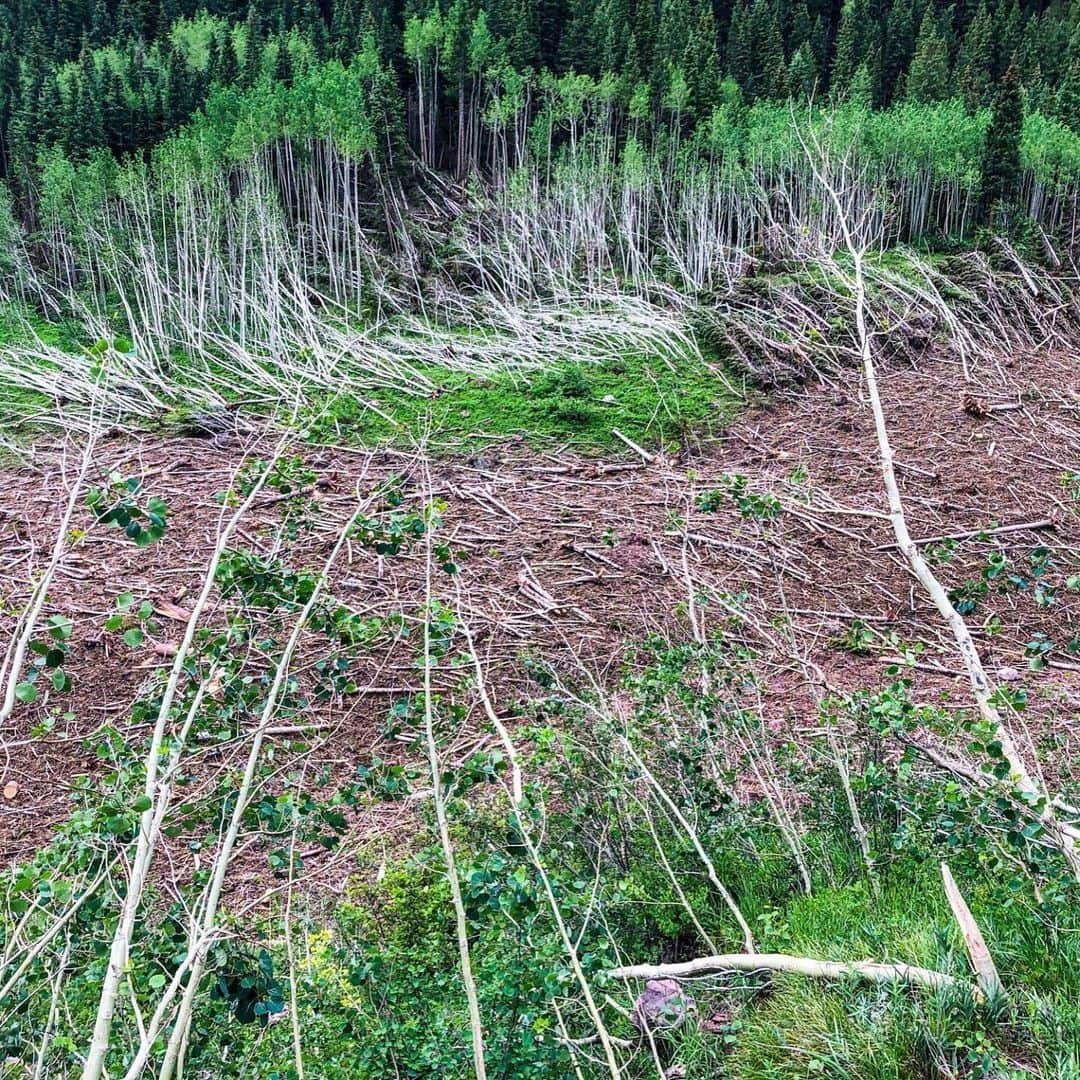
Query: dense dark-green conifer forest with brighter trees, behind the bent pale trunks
465, 86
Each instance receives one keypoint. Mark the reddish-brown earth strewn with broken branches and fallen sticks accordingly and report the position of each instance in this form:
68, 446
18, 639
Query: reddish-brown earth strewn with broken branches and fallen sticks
573, 559
